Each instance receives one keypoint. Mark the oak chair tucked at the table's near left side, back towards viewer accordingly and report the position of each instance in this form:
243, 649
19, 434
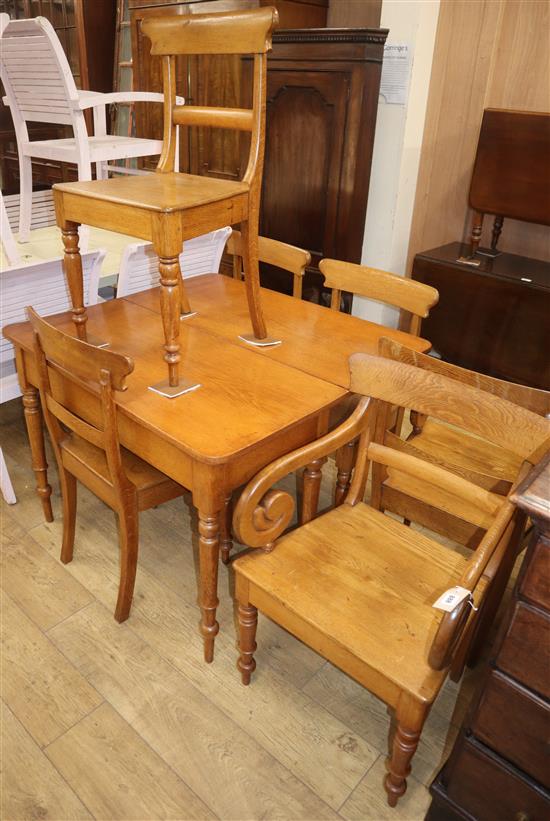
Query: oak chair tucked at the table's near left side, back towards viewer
91, 453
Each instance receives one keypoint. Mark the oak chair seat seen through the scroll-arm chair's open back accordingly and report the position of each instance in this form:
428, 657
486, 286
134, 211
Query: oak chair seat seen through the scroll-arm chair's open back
468, 453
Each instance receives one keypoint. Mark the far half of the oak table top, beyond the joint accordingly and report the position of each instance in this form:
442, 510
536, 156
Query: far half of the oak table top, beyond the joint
315, 339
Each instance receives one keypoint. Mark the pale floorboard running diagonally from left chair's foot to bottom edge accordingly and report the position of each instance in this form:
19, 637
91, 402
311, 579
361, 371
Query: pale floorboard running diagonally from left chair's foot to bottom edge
223, 766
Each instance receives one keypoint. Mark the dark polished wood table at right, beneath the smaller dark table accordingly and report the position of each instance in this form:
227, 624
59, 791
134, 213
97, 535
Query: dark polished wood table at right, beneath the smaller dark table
493, 318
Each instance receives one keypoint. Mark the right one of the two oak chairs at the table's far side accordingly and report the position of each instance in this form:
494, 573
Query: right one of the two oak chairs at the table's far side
414, 301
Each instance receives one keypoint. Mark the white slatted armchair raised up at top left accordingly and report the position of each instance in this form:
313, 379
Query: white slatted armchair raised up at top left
40, 88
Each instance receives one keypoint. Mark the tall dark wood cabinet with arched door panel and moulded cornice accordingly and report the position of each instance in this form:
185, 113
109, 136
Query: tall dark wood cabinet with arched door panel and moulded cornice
322, 97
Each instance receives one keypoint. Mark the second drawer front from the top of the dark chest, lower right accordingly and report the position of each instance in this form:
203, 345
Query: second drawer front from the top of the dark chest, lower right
525, 651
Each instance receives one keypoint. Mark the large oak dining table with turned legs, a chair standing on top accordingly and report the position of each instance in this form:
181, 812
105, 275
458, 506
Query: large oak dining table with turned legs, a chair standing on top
252, 404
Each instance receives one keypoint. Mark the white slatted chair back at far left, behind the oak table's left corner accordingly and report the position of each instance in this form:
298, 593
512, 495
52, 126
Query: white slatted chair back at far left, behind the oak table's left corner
46, 285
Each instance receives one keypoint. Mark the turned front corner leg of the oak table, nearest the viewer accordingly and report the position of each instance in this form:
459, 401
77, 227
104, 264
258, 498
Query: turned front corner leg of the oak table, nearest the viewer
209, 548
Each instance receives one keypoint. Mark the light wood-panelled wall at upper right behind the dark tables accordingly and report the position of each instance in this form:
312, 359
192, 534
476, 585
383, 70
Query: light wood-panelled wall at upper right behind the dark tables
487, 54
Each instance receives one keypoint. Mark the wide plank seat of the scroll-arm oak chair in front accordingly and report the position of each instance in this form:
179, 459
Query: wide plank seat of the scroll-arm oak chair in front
365, 584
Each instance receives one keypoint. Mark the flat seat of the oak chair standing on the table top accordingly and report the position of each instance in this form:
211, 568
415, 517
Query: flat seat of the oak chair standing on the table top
158, 192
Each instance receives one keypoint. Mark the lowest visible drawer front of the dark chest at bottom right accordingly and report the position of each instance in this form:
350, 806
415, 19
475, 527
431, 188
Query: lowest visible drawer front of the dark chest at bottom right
488, 789
